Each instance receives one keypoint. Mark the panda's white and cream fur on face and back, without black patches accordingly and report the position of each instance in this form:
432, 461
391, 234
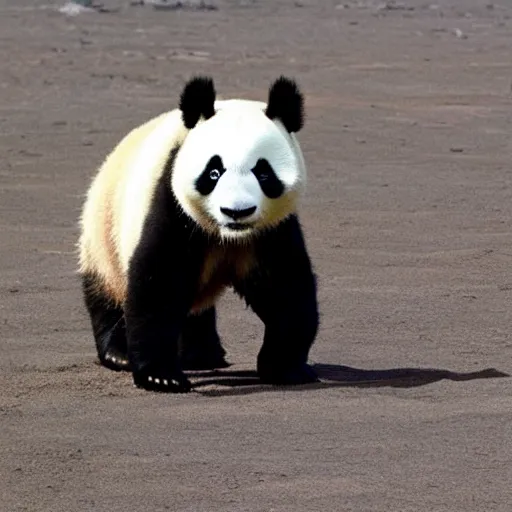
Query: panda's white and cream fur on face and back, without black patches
120, 196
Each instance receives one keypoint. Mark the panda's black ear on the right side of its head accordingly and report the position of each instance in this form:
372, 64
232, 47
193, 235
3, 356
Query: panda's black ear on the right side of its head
285, 102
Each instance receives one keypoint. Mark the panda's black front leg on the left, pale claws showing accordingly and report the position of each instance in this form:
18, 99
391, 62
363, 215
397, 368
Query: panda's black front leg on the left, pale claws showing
161, 286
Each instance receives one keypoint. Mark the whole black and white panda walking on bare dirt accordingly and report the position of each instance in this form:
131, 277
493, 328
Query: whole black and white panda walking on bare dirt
196, 200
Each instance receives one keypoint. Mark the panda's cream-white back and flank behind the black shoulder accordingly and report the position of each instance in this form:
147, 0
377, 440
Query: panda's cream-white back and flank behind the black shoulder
119, 199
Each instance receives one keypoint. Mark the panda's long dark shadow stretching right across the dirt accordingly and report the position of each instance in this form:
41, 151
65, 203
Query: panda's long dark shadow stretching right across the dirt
239, 382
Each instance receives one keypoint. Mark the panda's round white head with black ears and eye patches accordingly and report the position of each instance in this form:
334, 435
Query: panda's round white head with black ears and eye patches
240, 169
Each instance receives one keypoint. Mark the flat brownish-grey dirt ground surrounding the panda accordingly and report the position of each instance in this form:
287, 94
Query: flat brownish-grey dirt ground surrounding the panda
407, 218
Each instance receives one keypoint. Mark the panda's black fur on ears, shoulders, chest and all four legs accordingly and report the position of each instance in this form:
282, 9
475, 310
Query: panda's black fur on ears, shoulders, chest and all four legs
154, 335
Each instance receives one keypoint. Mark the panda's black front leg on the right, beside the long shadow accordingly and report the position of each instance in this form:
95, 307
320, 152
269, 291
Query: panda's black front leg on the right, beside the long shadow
282, 292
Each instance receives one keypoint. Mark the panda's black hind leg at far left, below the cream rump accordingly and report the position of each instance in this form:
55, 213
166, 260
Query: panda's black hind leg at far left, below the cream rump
108, 325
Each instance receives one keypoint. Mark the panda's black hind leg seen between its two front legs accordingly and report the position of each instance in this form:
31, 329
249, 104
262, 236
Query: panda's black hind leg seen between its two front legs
199, 345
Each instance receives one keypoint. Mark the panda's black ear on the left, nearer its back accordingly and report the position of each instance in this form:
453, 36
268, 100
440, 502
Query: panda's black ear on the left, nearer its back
197, 99
